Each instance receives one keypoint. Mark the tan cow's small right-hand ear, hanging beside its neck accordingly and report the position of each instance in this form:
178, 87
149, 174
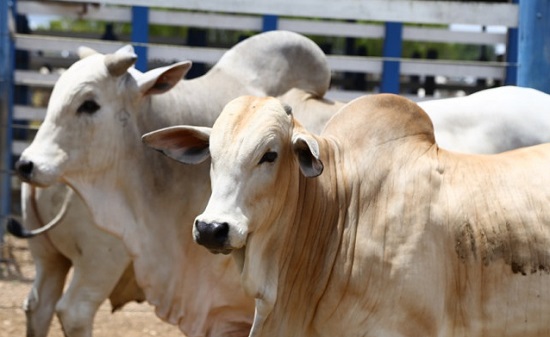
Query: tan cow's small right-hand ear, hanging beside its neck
306, 149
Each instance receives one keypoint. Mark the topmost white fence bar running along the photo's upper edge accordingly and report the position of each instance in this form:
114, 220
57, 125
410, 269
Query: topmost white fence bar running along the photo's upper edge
435, 12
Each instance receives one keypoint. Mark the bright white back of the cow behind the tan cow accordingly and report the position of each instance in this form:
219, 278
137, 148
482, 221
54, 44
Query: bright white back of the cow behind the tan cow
491, 121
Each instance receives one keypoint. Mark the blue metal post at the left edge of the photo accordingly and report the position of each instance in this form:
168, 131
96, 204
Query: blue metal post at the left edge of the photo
7, 9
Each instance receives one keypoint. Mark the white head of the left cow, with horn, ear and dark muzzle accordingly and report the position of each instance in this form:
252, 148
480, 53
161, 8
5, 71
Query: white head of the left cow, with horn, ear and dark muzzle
90, 113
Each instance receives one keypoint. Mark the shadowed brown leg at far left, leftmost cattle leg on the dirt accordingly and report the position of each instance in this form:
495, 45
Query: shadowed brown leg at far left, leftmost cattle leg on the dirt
45, 292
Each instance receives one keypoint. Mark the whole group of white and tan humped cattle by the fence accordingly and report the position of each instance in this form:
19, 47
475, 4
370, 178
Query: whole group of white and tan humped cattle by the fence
292, 214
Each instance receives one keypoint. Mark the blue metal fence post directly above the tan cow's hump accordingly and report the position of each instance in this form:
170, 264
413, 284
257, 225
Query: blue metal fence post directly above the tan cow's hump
391, 52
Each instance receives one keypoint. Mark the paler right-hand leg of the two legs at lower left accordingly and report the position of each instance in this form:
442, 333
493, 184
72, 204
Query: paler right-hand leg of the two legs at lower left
90, 286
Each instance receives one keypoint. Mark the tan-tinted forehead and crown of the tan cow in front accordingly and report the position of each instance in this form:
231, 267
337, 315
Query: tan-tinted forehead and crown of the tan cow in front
248, 124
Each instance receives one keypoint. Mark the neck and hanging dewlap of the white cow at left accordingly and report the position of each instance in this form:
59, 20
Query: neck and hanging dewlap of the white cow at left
150, 201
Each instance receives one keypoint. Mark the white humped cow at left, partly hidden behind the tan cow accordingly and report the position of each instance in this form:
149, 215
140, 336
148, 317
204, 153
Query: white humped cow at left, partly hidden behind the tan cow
91, 140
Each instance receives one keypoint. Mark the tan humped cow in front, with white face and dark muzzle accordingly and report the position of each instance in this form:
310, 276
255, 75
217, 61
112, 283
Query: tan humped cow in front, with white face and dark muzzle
371, 229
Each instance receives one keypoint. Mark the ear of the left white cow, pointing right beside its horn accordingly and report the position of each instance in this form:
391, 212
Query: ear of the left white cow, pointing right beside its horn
160, 80
